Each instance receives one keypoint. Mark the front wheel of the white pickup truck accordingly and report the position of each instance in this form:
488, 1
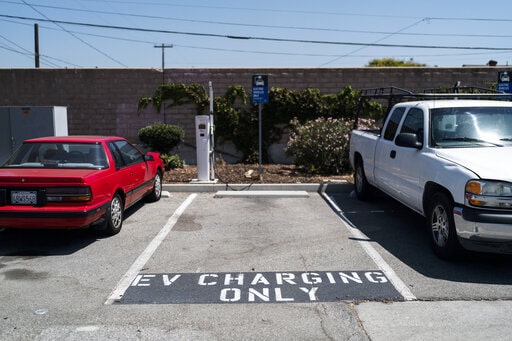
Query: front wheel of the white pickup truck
441, 227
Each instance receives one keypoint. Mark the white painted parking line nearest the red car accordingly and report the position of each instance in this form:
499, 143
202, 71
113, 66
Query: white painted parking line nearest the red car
141, 261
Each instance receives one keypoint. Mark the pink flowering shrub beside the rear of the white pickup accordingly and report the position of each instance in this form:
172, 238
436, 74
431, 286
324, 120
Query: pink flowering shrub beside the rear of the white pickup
321, 145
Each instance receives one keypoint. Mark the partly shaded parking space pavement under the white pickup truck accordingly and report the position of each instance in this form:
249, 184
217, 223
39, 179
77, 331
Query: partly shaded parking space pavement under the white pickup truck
398, 235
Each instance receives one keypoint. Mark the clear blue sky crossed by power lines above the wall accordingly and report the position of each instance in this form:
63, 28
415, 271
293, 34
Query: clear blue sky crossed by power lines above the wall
259, 34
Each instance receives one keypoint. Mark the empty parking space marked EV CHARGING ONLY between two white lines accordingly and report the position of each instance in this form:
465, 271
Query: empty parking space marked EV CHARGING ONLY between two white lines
261, 250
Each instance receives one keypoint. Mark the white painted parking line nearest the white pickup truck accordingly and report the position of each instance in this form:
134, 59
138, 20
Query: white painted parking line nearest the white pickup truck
362, 239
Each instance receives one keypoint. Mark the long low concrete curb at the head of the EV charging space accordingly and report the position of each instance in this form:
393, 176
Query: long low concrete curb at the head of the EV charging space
341, 186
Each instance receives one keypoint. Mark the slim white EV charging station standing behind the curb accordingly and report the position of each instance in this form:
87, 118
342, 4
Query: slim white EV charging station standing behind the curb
205, 145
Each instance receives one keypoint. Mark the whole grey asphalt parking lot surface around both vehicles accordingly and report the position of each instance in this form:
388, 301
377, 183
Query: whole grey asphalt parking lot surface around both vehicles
197, 266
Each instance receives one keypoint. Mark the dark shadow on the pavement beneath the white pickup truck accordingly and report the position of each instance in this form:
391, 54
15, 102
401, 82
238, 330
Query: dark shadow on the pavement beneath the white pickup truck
402, 233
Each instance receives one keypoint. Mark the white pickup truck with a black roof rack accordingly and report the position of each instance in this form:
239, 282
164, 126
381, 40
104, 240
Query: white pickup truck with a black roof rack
449, 160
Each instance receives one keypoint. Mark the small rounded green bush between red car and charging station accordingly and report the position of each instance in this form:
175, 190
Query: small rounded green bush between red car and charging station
161, 137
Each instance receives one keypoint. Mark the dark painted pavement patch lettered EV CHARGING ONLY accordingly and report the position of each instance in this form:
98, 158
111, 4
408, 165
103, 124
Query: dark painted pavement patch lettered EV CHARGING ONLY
260, 287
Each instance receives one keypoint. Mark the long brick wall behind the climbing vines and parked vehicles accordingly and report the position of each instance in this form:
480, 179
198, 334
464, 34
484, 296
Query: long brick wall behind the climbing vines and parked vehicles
104, 101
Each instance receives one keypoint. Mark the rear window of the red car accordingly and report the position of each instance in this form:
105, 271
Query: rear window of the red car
59, 155
